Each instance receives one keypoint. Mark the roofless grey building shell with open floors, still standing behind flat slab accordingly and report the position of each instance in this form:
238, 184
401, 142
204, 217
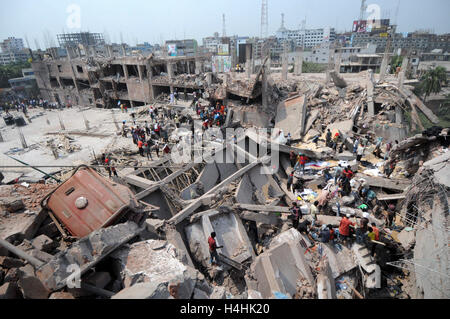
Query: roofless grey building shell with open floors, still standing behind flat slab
103, 81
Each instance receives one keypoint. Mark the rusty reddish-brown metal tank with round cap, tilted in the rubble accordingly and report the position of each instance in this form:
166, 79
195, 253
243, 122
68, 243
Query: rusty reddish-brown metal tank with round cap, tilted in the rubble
87, 201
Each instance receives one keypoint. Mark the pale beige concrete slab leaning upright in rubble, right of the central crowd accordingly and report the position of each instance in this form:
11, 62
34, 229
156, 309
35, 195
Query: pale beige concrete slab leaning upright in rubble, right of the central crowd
291, 116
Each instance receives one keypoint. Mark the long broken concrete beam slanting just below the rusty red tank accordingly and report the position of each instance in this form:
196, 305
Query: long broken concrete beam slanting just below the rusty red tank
85, 253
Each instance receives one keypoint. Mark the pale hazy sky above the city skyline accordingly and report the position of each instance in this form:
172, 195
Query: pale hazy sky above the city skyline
137, 21
